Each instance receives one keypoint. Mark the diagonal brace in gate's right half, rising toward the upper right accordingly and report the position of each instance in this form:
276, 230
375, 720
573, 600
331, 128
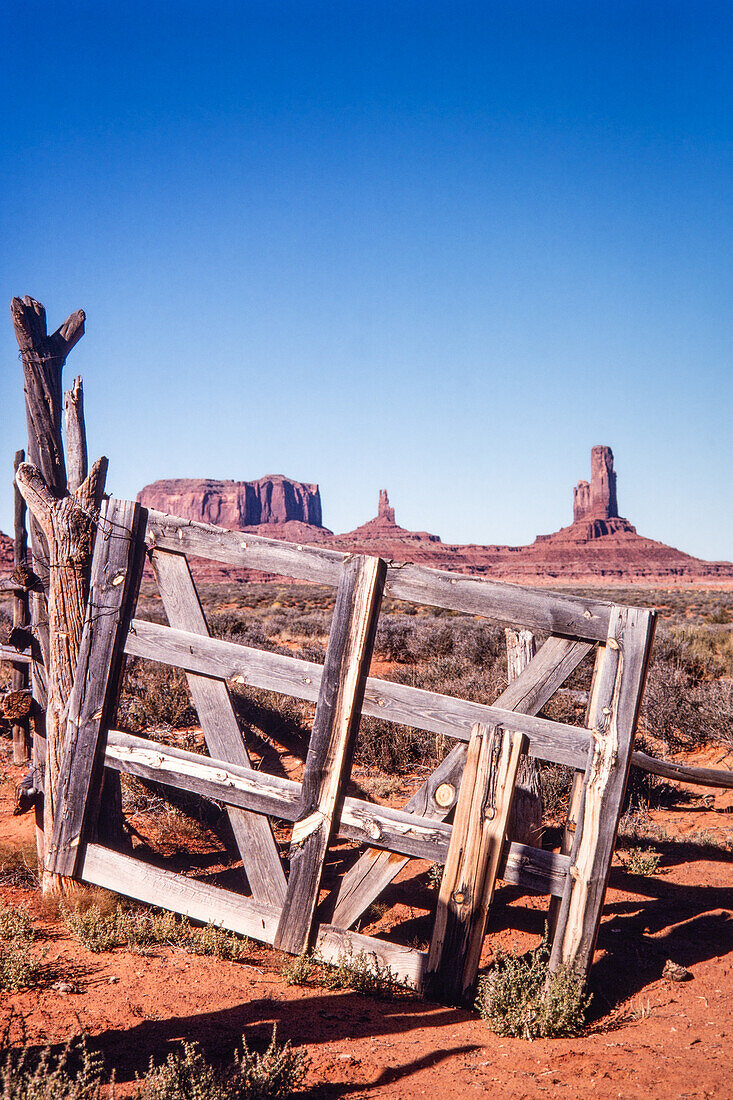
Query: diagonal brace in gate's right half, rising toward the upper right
529, 694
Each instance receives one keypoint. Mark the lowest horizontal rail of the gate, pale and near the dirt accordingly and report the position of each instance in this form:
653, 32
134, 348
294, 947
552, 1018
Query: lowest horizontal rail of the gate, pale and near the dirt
112, 871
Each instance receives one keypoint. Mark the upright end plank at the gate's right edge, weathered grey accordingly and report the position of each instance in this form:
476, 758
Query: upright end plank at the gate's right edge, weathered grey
616, 705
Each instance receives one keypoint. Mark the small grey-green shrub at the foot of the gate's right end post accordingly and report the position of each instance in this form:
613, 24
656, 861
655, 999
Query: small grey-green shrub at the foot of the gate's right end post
522, 998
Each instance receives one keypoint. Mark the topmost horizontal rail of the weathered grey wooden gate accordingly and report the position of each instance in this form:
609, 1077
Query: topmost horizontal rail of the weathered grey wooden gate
512, 604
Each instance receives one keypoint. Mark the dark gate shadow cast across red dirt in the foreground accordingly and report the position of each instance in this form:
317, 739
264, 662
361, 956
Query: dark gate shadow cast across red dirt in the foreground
309, 1022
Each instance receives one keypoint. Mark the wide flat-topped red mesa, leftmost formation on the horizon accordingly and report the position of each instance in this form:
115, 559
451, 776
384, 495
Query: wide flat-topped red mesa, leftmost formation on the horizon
273, 500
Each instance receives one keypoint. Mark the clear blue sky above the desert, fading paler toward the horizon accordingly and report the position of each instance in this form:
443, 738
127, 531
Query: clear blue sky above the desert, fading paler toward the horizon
436, 248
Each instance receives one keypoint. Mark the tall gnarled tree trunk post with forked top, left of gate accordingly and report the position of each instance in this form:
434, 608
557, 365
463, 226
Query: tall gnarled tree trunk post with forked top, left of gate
62, 527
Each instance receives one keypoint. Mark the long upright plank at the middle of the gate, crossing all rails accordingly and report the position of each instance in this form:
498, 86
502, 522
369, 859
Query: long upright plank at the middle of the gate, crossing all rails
329, 762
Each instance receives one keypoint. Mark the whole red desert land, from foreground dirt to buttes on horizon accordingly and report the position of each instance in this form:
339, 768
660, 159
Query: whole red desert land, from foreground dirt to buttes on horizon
660, 1024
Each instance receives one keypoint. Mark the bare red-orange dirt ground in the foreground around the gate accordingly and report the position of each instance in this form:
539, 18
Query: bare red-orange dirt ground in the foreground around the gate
649, 1037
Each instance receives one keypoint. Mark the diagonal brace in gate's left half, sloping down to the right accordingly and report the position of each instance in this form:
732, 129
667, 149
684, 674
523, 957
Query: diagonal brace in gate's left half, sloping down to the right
224, 739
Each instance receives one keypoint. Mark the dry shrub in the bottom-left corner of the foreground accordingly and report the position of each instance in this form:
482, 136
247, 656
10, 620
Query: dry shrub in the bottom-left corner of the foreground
26, 1074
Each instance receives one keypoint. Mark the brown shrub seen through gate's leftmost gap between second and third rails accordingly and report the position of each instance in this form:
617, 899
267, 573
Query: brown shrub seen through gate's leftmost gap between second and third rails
155, 696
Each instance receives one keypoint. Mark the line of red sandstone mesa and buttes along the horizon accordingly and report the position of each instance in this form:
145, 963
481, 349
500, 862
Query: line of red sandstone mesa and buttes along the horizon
599, 546
